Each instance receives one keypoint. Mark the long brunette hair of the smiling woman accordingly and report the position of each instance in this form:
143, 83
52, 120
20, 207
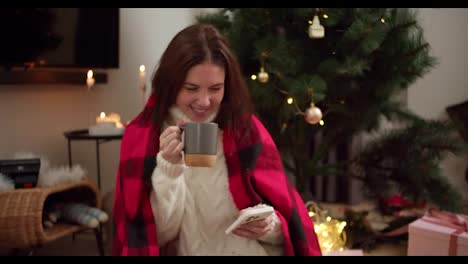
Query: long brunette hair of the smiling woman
194, 45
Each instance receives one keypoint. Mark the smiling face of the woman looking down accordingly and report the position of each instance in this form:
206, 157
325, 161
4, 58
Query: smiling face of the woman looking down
202, 92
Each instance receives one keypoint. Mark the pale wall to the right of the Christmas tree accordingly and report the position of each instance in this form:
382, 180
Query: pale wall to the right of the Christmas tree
447, 84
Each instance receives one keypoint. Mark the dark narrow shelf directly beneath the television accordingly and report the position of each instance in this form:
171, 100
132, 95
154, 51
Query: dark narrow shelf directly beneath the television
45, 76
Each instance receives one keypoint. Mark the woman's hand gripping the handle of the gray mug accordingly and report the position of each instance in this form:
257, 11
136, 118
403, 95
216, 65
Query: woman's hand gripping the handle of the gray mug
170, 144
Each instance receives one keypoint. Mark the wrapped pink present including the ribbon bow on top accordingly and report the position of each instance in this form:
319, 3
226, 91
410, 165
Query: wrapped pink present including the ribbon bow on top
438, 233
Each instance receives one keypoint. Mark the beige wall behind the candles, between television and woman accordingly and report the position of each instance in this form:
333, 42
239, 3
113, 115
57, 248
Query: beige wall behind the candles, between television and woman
34, 117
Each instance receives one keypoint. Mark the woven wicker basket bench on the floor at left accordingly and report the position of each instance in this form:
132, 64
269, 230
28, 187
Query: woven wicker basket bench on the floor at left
21, 213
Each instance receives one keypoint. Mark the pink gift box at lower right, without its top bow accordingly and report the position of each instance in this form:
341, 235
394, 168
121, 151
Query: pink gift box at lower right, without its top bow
428, 236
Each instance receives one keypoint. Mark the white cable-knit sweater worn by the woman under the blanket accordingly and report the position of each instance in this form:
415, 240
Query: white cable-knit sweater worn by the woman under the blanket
193, 206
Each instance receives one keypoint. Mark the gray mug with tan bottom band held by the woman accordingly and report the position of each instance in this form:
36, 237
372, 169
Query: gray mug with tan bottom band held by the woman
200, 144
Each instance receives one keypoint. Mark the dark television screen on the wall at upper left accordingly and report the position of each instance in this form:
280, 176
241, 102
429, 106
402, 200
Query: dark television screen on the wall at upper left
59, 37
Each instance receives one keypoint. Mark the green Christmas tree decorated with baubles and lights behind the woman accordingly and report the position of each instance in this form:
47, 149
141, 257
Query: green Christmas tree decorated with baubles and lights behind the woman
319, 77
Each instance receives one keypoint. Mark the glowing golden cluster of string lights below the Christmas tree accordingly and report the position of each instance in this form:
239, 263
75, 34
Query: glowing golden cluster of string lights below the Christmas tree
330, 232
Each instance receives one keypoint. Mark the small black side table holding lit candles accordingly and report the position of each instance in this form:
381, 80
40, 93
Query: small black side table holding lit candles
83, 134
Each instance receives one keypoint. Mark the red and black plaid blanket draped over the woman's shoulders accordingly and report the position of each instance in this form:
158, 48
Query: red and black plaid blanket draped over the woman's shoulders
255, 176
